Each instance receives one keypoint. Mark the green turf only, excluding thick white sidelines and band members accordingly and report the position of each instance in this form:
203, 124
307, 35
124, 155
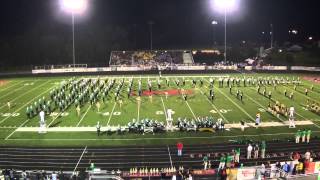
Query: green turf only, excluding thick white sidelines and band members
24, 91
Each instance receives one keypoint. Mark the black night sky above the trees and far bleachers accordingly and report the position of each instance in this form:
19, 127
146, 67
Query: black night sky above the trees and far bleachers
177, 23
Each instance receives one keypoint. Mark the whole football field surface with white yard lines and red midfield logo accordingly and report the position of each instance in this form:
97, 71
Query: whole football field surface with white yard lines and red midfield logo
67, 127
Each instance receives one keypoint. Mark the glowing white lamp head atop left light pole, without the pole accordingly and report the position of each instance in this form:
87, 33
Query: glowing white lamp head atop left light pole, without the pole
74, 6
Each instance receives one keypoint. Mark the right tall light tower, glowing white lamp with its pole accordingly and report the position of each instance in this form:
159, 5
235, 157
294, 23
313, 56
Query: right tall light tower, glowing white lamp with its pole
225, 6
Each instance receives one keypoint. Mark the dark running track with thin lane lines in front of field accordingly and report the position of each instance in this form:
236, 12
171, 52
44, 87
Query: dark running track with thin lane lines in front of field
124, 158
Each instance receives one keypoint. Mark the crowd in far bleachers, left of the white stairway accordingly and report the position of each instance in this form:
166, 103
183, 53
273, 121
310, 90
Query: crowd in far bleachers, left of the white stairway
150, 58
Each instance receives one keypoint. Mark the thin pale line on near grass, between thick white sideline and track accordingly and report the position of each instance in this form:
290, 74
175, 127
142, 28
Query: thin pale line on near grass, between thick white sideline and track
162, 138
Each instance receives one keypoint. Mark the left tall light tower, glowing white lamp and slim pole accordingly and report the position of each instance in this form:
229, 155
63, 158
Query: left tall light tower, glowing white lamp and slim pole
75, 7
